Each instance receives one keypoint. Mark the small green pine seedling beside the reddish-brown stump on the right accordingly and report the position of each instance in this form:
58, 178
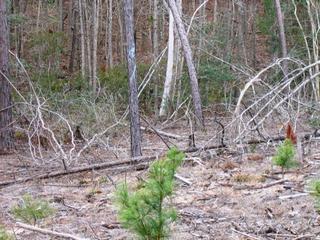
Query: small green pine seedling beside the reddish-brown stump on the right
284, 157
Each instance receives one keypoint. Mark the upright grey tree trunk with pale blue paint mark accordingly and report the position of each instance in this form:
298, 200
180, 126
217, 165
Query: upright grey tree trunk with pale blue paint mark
132, 73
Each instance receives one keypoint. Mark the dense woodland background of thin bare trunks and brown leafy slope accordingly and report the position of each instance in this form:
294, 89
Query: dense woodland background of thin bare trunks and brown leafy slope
74, 53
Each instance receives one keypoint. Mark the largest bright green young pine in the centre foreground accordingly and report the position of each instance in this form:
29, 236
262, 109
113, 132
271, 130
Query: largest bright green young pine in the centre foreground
144, 211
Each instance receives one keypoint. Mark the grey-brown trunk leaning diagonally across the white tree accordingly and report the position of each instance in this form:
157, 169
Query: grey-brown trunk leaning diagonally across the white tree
188, 56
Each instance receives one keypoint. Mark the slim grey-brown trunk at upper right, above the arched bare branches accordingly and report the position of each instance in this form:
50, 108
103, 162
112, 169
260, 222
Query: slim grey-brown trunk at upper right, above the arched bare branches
282, 35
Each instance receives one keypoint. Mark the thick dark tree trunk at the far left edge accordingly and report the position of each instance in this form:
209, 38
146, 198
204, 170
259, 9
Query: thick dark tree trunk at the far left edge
6, 138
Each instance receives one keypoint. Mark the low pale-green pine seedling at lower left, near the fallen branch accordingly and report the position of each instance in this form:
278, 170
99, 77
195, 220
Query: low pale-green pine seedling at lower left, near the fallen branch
31, 210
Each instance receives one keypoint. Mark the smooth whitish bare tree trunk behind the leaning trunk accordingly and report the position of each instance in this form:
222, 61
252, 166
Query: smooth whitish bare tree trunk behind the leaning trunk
169, 72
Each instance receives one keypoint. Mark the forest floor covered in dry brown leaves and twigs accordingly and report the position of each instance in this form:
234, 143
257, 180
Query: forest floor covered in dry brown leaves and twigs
233, 194
